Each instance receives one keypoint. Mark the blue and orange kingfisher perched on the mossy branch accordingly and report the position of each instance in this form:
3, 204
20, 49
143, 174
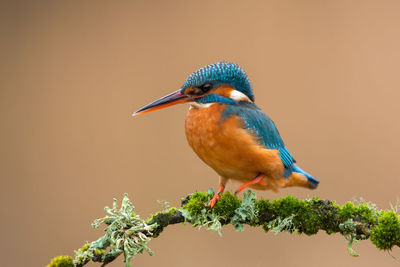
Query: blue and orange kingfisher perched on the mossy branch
231, 134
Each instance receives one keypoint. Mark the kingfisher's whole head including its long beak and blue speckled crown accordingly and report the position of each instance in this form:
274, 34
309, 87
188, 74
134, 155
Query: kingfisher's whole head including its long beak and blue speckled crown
221, 82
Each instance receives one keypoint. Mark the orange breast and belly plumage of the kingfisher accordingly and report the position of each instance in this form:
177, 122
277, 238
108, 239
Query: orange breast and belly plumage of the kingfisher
228, 148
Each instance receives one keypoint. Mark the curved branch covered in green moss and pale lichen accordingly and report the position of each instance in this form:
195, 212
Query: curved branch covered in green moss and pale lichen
128, 234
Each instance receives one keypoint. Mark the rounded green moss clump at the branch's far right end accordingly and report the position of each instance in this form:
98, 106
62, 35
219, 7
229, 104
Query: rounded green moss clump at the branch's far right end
387, 233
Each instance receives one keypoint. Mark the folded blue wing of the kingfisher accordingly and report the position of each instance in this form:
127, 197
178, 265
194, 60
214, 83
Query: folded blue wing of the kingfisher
257, 122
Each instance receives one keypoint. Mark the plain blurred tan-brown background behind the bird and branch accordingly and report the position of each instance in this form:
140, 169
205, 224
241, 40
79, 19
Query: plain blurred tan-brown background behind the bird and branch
72, 73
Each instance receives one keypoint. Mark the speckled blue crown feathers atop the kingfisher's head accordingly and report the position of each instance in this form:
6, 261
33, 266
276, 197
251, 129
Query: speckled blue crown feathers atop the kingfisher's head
219, 73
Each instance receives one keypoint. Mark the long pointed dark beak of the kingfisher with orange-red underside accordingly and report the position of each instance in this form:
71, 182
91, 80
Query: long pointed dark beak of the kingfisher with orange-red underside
166, 101
